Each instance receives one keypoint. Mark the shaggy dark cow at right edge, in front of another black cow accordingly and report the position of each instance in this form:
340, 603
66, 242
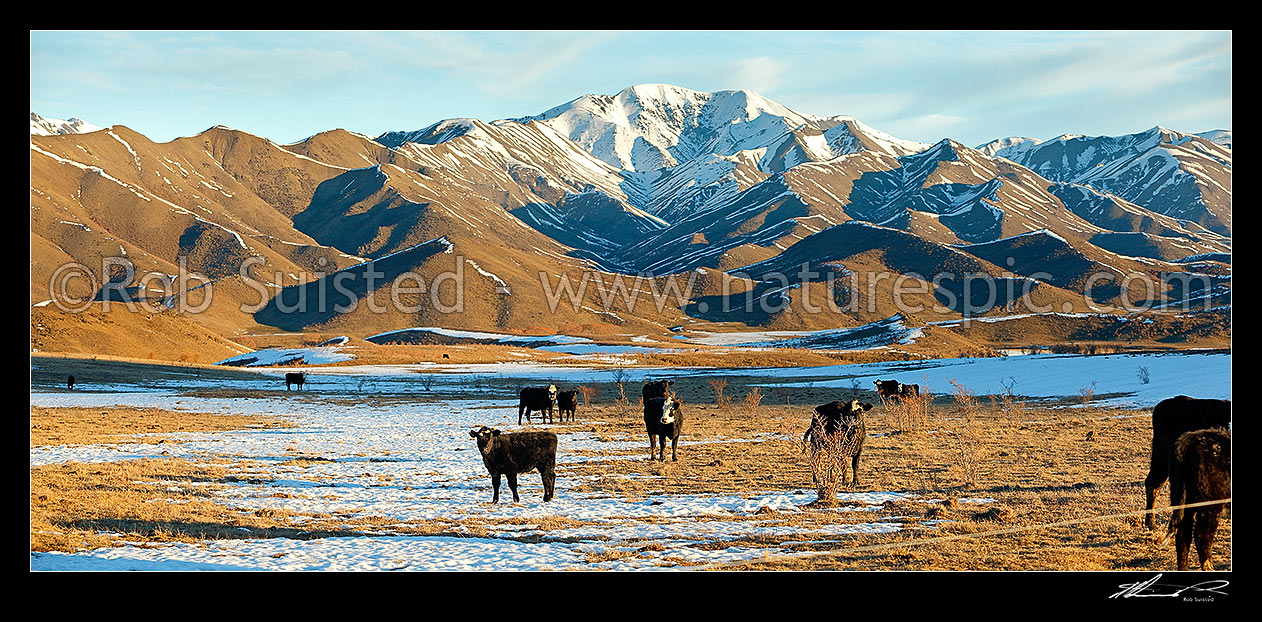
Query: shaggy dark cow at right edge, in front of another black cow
1201, 470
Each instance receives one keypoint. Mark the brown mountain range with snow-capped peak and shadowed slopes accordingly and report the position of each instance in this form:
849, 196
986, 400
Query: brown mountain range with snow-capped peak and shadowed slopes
652, 182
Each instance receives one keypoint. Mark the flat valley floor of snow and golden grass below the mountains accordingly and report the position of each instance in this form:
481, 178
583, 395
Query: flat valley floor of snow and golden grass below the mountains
373, 470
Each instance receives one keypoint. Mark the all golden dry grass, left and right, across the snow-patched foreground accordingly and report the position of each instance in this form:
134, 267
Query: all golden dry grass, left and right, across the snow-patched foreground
995, 485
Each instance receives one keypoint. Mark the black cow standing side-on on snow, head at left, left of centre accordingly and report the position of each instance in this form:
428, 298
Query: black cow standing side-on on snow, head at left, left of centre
516, 454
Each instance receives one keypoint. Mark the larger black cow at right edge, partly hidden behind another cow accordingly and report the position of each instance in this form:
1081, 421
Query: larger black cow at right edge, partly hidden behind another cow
1172, 420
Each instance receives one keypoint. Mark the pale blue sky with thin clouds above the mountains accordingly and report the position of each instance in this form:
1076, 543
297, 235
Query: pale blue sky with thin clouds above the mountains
970, 86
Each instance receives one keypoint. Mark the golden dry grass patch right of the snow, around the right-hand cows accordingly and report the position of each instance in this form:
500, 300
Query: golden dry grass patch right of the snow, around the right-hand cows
1024, 474
